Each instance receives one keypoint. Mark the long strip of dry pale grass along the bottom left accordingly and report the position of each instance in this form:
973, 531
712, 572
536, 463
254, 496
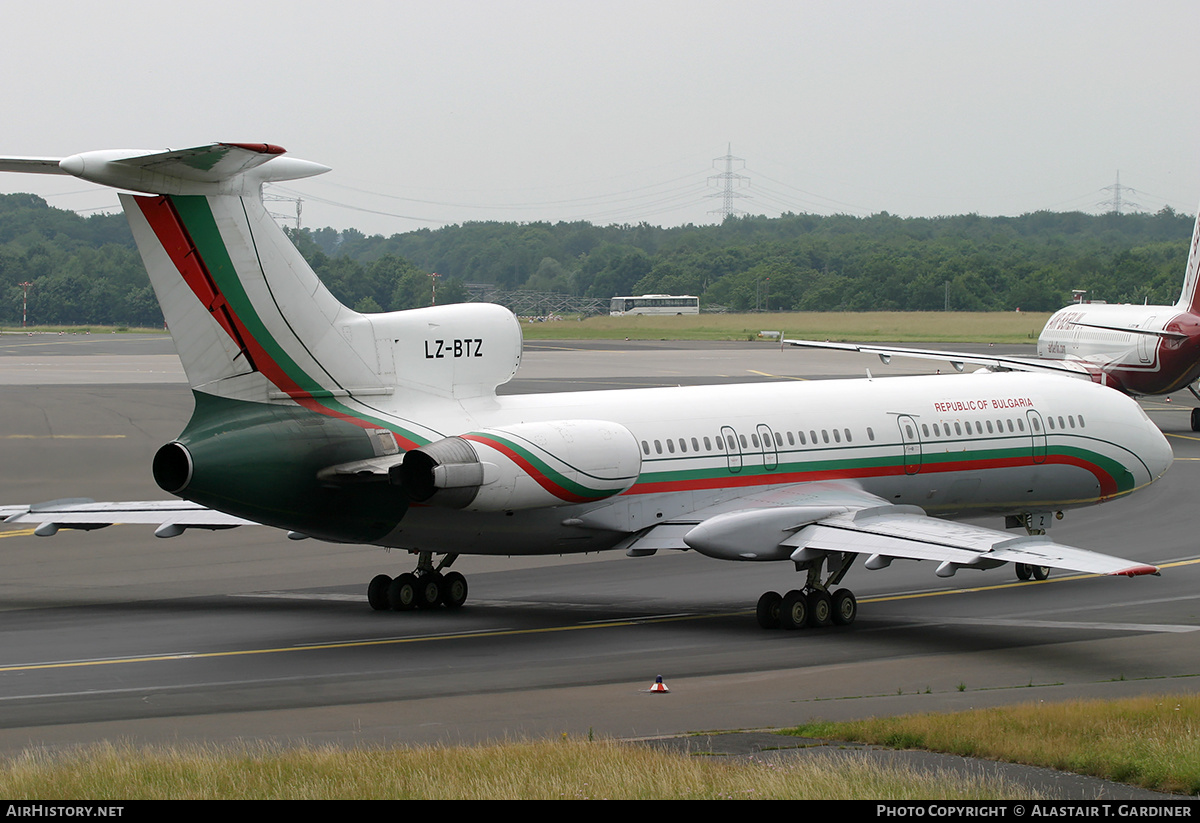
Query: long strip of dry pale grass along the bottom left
566, 770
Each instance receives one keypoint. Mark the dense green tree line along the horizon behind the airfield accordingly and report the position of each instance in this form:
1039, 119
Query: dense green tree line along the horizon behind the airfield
87, 271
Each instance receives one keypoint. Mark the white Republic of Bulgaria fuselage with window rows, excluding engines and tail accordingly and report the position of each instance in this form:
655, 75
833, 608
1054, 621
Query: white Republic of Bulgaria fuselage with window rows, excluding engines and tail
955, 446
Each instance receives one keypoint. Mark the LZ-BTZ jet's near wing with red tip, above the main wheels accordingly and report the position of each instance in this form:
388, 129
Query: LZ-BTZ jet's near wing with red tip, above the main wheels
807, 522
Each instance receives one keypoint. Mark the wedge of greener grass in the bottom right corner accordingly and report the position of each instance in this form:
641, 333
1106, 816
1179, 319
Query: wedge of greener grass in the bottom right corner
1149, 742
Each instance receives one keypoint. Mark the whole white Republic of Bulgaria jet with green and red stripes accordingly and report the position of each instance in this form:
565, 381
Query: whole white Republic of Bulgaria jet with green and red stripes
387, 430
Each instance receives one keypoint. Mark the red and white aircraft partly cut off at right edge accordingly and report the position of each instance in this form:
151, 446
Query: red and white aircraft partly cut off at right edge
1136, 350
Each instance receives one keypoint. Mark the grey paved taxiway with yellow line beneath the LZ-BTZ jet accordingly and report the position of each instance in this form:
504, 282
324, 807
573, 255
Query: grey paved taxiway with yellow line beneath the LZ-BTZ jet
245, 635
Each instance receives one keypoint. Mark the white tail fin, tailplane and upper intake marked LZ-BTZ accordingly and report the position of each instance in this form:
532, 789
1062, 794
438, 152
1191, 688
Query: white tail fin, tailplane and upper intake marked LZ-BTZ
250, 319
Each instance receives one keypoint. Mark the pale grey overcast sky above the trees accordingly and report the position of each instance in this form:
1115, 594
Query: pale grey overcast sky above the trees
614, 112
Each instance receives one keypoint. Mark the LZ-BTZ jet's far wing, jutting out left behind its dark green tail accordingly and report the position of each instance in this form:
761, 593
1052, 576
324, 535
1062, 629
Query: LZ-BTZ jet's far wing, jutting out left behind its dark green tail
171, 518
